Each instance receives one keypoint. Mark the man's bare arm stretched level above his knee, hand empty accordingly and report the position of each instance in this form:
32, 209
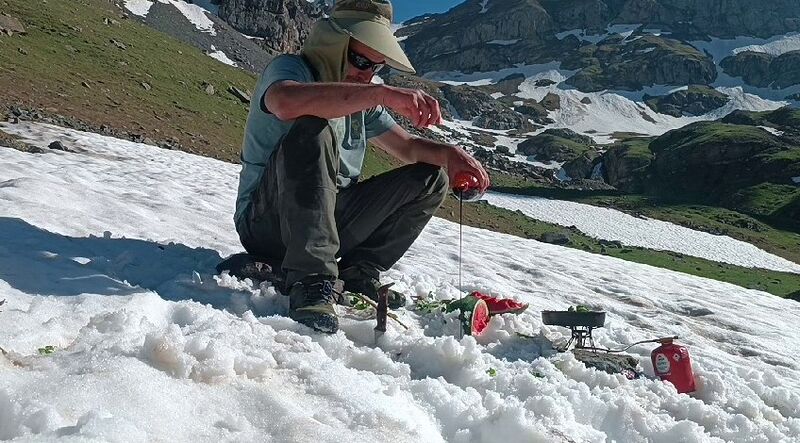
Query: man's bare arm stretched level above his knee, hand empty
289, 100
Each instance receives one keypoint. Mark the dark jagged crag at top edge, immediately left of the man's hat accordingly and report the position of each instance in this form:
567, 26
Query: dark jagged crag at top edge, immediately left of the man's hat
283, 24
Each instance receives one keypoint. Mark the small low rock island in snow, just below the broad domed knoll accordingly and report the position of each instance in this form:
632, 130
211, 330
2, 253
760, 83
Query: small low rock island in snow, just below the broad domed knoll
695, 100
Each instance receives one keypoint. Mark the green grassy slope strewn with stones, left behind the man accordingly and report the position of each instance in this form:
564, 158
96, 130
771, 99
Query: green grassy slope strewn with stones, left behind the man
82, 59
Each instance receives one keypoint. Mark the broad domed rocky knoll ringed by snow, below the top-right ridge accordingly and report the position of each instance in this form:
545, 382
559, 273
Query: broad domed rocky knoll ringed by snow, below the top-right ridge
619, 63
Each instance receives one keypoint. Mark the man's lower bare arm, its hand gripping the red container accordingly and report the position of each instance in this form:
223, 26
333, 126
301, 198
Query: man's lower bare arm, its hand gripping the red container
410, 149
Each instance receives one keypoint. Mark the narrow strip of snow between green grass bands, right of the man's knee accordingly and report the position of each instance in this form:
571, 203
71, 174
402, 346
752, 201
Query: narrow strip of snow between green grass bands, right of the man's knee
610, 224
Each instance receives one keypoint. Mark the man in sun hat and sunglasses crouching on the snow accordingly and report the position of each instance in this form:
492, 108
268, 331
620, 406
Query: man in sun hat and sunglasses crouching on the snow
300, 200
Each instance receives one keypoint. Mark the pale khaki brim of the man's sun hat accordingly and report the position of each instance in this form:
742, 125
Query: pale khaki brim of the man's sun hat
378, 37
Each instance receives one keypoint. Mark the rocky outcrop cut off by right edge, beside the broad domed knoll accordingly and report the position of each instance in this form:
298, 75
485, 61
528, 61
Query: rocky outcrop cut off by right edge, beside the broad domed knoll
764, 70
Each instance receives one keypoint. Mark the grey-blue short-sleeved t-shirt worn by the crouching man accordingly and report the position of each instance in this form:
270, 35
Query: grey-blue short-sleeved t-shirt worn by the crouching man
264, 131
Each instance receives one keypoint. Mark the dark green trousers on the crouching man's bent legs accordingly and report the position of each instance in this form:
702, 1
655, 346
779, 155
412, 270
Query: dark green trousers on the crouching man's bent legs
300, 219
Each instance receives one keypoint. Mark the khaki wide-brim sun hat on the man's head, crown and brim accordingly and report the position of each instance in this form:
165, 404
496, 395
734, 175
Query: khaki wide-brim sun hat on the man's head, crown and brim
370, 22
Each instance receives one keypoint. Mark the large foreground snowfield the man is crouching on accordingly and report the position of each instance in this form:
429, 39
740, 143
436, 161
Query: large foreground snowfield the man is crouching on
107, 253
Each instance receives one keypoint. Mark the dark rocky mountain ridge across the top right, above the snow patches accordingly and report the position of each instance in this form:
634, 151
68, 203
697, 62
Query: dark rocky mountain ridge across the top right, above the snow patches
490, 35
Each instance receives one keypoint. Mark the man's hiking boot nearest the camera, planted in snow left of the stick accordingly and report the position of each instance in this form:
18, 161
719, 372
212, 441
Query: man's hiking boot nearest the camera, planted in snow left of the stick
311, 303
